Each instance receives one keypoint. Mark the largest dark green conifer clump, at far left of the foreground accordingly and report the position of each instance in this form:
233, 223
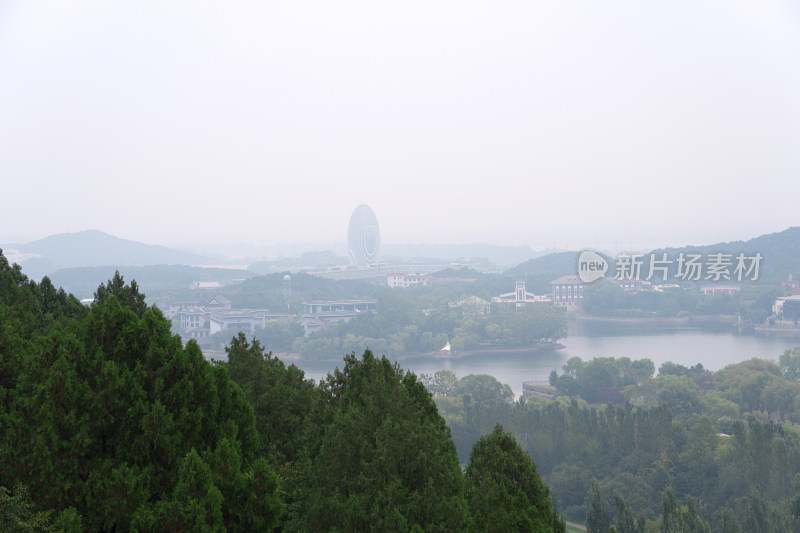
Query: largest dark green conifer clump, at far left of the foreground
105, 412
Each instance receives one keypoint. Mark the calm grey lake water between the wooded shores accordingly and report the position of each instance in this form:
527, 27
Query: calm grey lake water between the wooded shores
713, 345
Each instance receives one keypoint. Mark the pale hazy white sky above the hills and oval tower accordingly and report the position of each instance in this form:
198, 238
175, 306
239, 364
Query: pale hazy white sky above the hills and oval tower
519, 122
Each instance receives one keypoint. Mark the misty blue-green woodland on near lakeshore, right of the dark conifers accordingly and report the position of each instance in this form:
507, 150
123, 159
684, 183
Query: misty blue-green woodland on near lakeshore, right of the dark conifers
722, 443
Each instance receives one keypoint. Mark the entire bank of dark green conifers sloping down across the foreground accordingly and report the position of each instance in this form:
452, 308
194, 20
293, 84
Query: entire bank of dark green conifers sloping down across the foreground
109, 423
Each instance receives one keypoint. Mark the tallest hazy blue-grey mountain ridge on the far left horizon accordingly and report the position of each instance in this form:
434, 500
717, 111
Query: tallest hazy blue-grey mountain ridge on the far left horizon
96, 248
